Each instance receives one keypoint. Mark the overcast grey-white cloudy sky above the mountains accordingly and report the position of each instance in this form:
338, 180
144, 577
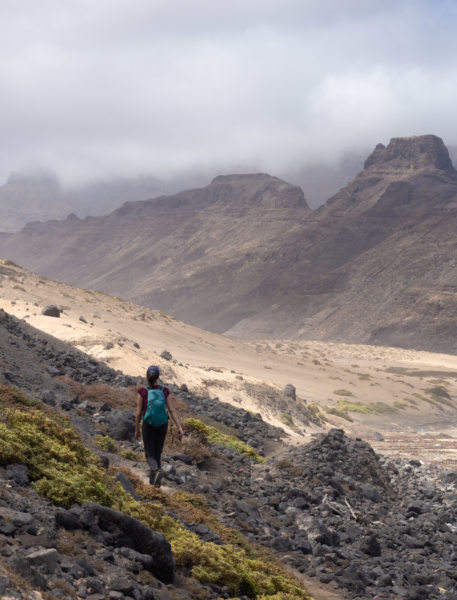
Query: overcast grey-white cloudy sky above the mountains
92, 88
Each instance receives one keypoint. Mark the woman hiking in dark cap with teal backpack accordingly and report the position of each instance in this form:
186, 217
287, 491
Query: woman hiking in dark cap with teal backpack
154, 404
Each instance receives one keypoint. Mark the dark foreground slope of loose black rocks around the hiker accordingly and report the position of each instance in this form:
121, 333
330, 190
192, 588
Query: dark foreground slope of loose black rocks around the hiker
351, 523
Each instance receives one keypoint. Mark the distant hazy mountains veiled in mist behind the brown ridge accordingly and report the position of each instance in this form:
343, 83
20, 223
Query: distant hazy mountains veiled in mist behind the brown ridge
41, 195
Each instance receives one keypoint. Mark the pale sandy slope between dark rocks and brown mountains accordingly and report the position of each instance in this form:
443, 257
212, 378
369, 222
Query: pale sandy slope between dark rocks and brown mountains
213, 364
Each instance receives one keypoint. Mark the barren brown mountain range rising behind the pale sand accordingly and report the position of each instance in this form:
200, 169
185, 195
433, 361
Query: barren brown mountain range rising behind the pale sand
247, 256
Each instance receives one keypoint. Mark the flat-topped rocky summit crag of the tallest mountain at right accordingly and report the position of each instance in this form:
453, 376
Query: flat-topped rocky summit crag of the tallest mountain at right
411, 154
